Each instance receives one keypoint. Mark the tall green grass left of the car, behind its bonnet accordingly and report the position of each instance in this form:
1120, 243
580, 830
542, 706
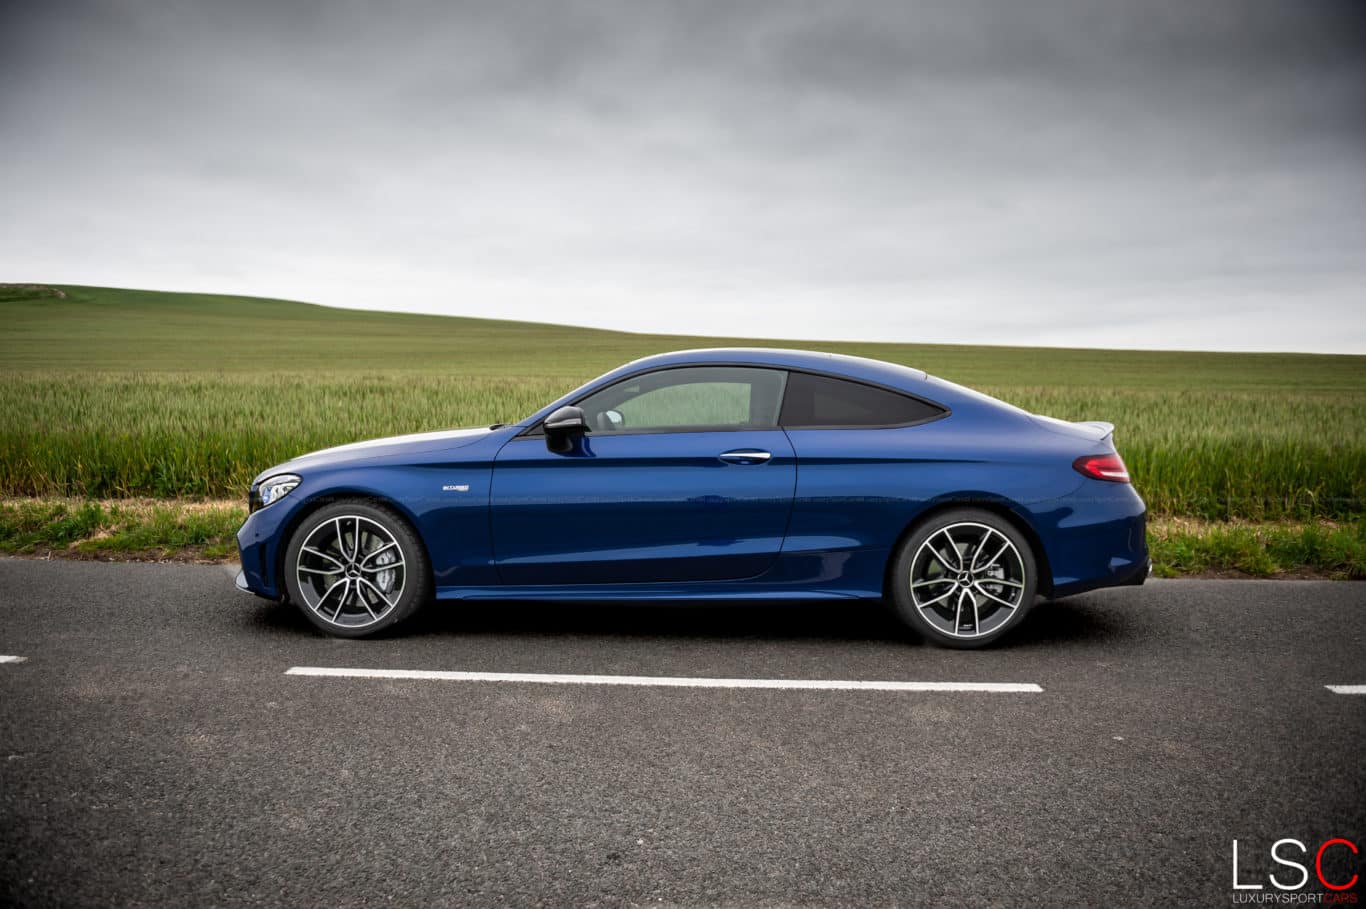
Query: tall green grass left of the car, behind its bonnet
126, 435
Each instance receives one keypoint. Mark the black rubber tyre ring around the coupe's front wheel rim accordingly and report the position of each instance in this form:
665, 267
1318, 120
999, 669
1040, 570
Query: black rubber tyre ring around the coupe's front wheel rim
417, 579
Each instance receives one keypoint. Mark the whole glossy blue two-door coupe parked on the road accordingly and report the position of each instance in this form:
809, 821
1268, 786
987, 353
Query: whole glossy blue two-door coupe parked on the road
712, 475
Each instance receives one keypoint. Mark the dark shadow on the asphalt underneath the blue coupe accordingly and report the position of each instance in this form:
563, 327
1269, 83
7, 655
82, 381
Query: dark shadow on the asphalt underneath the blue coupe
1068, 623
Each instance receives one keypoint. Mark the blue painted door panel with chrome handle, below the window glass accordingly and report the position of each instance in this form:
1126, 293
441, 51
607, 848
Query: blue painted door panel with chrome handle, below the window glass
637, 508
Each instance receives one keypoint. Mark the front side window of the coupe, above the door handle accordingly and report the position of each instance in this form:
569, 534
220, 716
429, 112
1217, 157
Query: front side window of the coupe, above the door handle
689, 398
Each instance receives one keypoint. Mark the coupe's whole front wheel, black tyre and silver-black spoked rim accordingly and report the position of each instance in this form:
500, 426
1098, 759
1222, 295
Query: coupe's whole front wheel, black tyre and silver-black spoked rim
374, 552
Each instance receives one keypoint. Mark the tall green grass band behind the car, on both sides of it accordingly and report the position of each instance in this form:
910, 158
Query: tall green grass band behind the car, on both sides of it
1208, 454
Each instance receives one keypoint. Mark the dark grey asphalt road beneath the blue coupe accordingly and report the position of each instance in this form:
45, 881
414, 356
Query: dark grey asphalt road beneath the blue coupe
155, 752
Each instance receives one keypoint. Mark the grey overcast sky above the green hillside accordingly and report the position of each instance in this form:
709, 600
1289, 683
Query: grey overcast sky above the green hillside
1115, 174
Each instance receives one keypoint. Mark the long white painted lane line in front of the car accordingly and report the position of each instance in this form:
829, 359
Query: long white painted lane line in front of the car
666, 681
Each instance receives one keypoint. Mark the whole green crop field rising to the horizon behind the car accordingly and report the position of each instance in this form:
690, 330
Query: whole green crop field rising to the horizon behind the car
120, 393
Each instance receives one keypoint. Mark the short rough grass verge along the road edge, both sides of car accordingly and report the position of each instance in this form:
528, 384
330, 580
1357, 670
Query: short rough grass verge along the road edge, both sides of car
148, 530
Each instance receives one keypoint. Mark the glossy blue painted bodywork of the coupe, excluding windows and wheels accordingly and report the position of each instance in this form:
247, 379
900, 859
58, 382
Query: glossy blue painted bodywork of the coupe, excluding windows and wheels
633, 516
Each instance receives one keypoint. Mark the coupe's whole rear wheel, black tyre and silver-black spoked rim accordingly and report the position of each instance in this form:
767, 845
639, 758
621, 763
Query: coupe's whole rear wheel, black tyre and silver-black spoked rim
973, 603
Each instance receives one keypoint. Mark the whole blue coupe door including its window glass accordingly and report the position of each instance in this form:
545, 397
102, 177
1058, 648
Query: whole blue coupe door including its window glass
684, 478
